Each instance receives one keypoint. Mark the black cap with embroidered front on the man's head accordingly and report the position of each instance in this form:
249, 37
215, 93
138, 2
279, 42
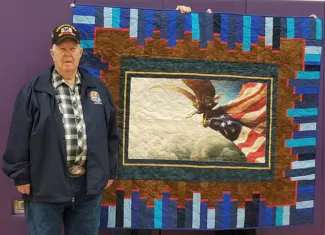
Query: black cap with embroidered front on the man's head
64, 31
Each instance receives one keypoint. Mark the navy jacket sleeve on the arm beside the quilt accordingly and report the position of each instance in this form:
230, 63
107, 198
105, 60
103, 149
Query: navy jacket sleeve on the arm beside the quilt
112, 133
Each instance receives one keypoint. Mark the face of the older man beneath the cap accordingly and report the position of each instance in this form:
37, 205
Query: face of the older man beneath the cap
66, 56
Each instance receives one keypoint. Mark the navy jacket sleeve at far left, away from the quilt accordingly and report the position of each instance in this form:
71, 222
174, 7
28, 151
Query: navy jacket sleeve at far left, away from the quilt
15, 162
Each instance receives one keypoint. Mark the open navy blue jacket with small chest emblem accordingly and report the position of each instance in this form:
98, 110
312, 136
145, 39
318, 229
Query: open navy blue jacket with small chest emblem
36, 151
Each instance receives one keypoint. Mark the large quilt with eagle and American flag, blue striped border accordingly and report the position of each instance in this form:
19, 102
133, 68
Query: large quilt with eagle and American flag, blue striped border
217, 115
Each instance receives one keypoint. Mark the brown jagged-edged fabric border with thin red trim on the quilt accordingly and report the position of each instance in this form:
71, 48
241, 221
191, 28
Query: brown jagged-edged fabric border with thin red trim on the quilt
114, 44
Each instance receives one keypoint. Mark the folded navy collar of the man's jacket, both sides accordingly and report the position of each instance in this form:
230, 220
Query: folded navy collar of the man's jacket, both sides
44, 81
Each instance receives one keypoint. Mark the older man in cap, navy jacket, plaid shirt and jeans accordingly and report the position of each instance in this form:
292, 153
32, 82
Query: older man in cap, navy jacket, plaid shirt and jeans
62, 145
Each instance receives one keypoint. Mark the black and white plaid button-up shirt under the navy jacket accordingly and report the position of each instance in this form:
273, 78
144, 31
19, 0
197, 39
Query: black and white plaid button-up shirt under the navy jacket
68, 99
